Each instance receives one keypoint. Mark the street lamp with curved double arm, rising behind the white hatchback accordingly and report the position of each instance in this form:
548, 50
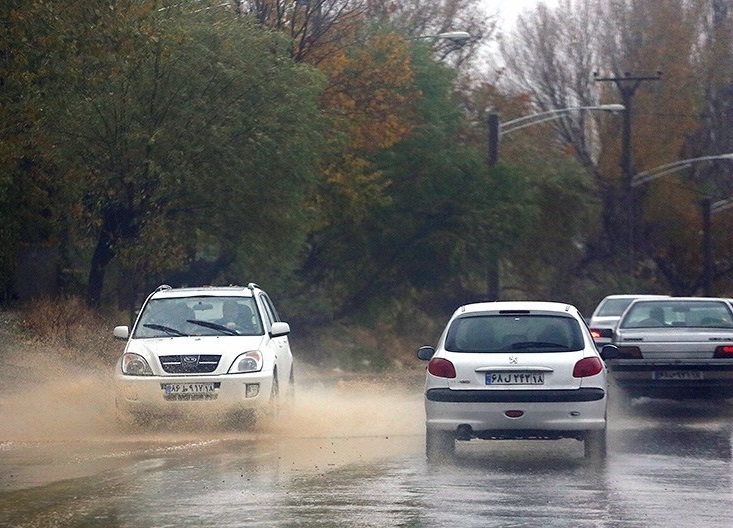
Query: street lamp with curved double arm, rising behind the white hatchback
496, 131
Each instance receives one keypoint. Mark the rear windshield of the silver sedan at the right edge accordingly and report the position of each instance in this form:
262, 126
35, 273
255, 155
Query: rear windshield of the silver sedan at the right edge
689, 314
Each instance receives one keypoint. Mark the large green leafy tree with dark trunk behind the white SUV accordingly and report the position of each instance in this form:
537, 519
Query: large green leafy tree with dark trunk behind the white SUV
187, 134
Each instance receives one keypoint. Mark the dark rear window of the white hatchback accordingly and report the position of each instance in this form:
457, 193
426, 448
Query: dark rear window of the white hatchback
514, 333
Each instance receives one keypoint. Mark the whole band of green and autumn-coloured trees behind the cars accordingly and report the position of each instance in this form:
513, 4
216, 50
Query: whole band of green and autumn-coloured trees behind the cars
329, 151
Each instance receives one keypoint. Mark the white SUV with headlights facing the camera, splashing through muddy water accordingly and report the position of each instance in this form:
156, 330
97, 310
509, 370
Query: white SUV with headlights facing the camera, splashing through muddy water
204, 350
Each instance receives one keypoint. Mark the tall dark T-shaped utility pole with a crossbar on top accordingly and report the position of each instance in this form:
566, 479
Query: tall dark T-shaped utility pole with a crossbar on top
627, 86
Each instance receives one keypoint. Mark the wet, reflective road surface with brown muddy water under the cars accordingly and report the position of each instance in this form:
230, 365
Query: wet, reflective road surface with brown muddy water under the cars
353, 456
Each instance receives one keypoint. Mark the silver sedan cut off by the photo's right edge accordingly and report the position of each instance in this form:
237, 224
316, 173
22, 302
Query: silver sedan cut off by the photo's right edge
676, 348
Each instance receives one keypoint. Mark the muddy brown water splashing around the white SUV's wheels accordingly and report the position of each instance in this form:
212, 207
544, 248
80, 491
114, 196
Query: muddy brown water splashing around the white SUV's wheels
60, 424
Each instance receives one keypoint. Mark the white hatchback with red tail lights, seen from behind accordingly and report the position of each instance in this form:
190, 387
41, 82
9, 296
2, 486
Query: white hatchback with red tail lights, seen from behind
515, 370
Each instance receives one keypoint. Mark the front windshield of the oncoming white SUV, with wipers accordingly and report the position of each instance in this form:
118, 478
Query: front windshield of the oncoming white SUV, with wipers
198, 316
